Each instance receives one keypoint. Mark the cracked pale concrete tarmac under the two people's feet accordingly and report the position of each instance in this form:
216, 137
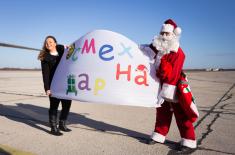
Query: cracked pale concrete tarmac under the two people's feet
101, 129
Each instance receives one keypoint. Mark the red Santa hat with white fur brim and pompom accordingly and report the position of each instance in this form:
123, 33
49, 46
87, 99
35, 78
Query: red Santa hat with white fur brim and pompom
170, 26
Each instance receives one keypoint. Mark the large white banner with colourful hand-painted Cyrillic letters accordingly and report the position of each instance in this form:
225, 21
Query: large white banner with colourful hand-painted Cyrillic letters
106, 67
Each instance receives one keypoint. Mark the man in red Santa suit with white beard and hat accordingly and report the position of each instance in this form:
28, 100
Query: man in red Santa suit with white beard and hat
169, 60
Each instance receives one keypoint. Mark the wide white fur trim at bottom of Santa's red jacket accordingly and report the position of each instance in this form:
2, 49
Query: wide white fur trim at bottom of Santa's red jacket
168, 92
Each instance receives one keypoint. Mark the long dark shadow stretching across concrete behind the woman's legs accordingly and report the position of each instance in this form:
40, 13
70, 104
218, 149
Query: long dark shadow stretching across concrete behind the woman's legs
37, 117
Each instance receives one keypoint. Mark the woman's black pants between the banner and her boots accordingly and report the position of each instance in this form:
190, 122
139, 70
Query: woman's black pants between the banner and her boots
54, 104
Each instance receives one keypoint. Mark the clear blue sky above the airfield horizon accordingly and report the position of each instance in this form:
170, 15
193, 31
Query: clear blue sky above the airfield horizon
208, 26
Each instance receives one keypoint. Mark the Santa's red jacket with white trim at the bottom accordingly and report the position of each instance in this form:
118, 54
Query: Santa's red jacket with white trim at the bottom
169, 72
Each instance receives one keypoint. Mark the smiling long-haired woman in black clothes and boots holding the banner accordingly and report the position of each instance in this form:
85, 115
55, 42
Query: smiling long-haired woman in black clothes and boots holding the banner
50, 57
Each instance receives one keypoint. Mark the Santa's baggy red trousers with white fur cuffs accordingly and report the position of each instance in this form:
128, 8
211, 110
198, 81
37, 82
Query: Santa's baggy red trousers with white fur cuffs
163, 122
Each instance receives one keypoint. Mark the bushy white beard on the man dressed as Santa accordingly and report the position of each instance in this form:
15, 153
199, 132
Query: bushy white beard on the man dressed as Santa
166, 44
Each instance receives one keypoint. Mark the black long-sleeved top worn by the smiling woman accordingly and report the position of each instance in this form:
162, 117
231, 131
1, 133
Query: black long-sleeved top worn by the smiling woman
49, 65
